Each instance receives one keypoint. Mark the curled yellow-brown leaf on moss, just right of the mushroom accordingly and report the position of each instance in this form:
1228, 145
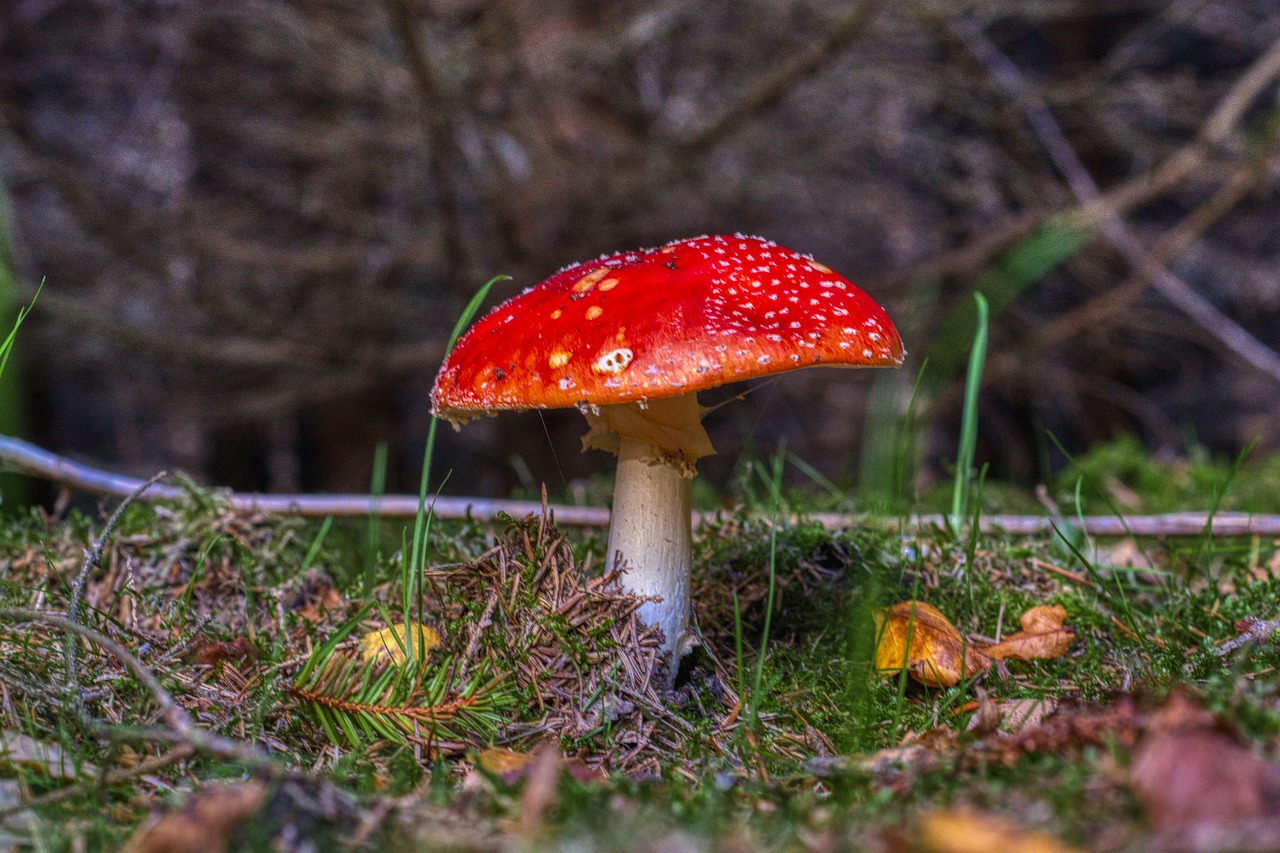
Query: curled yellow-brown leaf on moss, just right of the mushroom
917, 637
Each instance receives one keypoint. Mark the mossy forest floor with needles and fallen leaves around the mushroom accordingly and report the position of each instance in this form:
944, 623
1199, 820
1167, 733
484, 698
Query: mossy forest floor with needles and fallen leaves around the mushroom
194, 679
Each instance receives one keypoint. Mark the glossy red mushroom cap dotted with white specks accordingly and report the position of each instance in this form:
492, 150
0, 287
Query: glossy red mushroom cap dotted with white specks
639, 326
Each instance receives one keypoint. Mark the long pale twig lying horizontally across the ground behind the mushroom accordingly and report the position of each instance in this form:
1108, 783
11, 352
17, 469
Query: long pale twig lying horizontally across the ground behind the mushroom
35, 462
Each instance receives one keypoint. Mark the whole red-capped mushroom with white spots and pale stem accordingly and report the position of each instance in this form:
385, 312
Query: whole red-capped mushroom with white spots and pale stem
630, 340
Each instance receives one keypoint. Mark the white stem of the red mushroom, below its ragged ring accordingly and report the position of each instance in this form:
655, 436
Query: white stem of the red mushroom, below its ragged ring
651, 535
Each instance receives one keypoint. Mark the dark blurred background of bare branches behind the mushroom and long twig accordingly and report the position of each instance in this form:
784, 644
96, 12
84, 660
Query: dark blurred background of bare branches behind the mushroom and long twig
258, 221
